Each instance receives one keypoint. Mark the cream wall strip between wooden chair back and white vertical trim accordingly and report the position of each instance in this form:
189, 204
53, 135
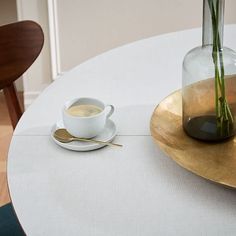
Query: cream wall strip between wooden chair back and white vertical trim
38, 76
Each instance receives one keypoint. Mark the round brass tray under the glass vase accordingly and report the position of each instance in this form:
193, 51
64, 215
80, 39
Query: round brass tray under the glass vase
213, 161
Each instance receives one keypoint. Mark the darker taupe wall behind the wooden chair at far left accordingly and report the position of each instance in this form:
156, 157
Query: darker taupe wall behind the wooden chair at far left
8, 14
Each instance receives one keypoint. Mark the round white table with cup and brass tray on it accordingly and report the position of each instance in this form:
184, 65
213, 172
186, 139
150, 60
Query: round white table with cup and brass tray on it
134, 190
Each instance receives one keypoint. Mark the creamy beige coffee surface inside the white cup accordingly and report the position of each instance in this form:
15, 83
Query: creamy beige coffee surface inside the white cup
86, 110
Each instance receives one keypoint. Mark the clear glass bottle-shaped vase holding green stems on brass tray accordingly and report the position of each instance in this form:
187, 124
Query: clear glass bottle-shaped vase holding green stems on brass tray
209, 81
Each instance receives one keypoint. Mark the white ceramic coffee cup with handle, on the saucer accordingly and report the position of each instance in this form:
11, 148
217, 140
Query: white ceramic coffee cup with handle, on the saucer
86, 126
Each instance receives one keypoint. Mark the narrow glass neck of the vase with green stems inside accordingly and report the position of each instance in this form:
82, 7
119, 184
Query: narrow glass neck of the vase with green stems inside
213, 21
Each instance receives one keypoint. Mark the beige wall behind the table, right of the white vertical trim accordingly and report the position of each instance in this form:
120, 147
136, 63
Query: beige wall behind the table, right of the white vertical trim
88, 28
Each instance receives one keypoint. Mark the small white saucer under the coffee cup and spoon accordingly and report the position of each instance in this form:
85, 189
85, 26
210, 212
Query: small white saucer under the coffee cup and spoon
107, 135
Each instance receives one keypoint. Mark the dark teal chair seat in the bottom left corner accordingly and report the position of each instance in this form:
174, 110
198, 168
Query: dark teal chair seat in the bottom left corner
9, 225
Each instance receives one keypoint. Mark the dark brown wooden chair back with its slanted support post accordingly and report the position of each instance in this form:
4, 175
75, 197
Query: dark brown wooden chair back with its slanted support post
20, 45
